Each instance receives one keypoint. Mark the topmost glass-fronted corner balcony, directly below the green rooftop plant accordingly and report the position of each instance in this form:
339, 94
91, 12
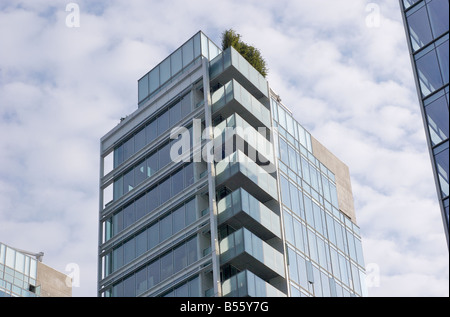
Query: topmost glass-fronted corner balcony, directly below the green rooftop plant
231, 65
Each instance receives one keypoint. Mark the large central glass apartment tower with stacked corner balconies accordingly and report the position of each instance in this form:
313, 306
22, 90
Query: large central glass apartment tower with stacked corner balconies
212, 188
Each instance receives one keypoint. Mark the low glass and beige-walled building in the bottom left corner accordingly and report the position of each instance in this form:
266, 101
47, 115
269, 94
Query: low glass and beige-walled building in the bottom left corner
22, 274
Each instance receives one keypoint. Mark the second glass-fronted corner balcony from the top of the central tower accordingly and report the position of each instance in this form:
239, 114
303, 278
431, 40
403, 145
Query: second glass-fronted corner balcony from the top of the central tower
233, 98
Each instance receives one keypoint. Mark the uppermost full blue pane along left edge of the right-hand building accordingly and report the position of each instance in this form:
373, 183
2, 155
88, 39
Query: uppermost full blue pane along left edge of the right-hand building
419, 28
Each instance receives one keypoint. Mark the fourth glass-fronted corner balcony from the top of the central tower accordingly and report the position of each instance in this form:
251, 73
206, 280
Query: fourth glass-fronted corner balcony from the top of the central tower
238, 170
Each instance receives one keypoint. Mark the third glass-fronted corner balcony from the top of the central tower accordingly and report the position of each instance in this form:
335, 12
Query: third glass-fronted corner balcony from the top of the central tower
261, 149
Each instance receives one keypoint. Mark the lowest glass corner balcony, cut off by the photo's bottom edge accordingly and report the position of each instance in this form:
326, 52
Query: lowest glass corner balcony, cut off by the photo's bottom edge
247, 284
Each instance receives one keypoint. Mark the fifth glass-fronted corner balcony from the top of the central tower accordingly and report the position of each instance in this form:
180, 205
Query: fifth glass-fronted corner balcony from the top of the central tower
240, 209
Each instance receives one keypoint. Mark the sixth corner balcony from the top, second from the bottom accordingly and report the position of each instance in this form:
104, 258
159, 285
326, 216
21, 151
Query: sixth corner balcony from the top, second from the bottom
244, 250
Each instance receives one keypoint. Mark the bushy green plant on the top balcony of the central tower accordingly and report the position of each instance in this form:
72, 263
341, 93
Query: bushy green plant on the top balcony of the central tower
250, 53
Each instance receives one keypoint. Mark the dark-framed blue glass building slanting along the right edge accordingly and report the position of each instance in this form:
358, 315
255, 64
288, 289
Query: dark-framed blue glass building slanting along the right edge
427, 24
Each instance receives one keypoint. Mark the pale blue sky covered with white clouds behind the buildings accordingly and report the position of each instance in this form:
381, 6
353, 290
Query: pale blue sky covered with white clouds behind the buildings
341, 66
